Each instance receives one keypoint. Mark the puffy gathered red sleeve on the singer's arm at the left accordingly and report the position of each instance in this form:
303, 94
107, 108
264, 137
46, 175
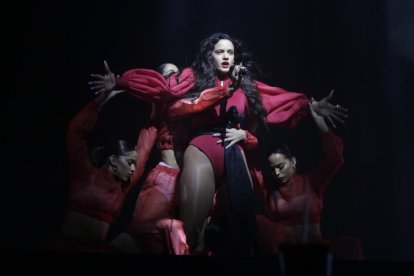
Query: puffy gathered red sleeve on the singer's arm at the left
149, 85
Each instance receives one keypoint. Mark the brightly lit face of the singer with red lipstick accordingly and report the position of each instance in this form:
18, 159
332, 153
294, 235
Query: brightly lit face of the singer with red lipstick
223, 54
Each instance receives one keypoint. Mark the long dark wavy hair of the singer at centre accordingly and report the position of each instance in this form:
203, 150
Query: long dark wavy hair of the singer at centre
205, 72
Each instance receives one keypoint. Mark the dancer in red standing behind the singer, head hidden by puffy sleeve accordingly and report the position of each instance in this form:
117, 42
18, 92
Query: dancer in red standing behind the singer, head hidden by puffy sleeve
153, 227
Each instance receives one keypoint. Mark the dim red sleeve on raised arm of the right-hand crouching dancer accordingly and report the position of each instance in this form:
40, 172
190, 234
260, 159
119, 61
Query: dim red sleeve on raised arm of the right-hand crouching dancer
332, 147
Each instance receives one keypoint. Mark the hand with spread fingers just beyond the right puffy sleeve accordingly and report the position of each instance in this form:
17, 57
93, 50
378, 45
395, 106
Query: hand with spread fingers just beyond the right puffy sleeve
333, 113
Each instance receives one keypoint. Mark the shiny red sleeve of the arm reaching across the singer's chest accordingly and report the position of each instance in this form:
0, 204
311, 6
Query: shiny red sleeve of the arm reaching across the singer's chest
207, 99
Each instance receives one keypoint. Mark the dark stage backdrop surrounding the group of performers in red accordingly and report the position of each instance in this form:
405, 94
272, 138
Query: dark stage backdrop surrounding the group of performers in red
363, 49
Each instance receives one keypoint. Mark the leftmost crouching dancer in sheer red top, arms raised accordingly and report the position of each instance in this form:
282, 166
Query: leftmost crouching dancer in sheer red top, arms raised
97, 189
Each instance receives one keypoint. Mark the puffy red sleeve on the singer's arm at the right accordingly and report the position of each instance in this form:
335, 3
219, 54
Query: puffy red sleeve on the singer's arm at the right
283, 107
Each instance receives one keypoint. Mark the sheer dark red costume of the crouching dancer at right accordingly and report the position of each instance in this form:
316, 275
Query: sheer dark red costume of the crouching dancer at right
300, 201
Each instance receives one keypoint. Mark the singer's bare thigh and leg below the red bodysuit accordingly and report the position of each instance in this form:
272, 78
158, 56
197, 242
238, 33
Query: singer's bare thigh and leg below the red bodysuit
196, 189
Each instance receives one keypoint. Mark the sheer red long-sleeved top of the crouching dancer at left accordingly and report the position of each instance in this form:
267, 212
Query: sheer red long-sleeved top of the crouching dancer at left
94, 191
